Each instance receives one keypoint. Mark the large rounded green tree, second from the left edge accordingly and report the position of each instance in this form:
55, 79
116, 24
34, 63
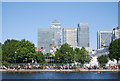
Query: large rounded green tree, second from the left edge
24, 50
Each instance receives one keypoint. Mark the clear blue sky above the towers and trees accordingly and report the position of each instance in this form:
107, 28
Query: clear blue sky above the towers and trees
22, 19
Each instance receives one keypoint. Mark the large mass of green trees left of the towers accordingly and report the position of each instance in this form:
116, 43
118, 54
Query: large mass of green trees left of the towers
14, 51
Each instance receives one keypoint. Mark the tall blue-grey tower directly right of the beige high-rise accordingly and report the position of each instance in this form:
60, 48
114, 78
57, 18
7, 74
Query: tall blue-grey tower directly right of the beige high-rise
83, 35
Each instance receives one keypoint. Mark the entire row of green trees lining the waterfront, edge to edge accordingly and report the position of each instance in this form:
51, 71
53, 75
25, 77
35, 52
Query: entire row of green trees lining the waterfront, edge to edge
23, 51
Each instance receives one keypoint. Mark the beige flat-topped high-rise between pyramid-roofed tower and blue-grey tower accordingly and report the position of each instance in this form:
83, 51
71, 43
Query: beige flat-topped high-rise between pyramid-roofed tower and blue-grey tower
70, 36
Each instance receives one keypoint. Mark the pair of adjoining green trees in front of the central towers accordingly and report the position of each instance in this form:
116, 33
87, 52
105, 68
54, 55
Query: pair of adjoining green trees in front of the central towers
66, 54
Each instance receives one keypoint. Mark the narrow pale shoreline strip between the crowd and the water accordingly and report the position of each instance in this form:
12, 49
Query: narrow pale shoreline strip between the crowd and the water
55, 70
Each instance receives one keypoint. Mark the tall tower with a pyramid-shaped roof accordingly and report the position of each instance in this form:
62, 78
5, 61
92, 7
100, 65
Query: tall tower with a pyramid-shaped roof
56, 28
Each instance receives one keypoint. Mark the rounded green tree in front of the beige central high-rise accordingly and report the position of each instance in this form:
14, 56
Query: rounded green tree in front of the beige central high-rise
65, 54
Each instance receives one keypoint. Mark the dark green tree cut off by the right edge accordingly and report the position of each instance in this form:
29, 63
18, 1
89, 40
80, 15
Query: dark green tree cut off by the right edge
114, 50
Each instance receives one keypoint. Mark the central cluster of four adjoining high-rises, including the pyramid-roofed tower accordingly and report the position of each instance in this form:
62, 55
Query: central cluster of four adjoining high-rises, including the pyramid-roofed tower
52, 38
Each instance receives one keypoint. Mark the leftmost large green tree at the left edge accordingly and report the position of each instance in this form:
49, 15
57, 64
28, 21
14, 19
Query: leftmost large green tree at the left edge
8, 51
